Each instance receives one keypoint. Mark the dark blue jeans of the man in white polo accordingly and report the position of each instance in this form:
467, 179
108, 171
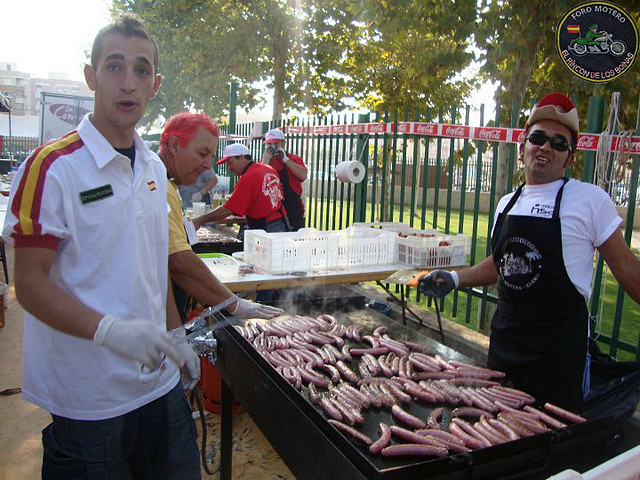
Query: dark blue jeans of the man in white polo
156, 441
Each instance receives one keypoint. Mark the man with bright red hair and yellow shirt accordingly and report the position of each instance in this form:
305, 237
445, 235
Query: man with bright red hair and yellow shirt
187, 144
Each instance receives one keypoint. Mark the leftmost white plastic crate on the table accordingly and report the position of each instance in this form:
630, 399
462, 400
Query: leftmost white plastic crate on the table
306, 250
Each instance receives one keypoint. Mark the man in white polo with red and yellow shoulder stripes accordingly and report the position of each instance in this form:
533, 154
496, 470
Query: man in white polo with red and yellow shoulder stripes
103, 343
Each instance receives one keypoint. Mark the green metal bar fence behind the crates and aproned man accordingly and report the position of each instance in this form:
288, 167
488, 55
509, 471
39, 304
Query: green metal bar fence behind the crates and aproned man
426, 180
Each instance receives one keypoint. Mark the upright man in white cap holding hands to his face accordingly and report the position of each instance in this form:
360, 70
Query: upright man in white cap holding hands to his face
292, 172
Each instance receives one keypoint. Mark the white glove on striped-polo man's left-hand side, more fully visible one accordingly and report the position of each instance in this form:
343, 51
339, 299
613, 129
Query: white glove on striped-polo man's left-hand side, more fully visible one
139, 340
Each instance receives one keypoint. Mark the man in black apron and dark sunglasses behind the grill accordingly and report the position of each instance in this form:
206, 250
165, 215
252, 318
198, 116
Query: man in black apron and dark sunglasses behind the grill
544, 238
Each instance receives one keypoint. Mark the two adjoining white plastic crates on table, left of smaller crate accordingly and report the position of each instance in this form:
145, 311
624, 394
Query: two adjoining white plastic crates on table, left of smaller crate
310, 250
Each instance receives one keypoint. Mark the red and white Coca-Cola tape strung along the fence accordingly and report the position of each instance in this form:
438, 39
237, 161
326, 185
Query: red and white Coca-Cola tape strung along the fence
586, 141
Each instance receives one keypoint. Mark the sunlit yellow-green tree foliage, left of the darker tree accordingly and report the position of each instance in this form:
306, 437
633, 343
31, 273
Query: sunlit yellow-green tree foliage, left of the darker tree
317, 55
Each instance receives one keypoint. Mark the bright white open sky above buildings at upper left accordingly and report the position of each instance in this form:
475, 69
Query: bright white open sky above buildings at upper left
41, 37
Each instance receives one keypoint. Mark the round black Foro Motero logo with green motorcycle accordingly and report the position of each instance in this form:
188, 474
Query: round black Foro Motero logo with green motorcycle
597, 41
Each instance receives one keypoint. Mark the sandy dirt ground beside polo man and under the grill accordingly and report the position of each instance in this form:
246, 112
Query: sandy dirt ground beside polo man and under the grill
21, 422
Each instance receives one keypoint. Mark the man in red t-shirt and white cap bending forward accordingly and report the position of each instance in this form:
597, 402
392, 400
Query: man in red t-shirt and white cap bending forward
257, 194
